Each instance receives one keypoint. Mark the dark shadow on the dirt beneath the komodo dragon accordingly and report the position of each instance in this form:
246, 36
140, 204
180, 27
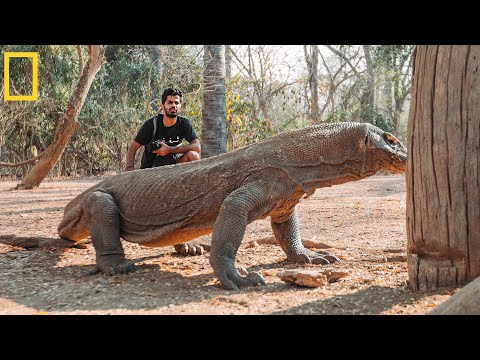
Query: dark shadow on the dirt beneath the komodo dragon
37, 279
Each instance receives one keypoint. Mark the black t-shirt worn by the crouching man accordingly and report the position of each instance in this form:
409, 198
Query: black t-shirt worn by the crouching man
172, 136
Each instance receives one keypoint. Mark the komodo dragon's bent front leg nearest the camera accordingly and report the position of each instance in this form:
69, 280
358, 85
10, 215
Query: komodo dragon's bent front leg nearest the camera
241, 207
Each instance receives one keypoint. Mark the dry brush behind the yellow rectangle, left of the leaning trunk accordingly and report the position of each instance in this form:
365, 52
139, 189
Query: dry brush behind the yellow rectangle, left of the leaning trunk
26, 126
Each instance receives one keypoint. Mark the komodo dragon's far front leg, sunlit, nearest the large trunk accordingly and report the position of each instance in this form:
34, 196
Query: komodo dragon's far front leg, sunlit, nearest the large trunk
287, 234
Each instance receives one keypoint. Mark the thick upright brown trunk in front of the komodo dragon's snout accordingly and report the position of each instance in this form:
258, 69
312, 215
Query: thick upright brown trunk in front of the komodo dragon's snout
443, 207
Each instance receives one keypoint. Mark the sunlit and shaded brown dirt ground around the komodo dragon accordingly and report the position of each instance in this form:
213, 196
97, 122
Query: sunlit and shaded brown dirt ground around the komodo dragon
361, 222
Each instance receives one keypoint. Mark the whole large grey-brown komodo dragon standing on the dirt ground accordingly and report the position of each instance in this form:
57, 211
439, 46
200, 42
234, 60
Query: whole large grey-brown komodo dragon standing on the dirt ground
170, 205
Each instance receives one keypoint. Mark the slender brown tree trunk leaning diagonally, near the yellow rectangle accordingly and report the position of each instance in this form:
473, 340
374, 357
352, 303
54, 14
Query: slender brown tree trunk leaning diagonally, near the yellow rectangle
67, 124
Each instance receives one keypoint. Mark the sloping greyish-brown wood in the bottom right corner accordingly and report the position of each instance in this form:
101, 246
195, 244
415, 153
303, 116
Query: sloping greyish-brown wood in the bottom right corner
465, 302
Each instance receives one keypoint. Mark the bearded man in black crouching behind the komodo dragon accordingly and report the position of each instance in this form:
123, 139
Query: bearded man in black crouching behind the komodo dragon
170, 130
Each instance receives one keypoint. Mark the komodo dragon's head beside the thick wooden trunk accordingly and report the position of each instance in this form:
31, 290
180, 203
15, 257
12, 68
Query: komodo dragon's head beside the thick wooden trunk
386, 150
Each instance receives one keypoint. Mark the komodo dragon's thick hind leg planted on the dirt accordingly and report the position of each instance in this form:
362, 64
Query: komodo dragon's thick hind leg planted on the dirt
105, 234
